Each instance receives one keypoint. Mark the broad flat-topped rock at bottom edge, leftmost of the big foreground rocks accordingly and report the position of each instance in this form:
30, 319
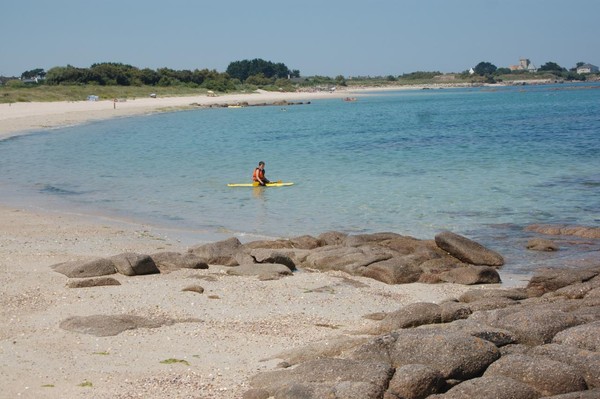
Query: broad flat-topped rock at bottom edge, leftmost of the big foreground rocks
321, 378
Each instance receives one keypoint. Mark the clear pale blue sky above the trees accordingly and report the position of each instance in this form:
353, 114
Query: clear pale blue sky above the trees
324, 37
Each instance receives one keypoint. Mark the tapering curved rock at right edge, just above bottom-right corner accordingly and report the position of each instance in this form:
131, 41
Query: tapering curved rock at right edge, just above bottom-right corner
587, 363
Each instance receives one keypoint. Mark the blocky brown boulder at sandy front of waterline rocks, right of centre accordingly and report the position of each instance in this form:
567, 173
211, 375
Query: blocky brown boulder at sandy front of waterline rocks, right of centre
397, 270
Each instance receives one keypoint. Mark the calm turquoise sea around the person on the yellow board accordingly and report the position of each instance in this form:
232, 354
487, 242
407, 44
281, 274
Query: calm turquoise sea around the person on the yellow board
484, 162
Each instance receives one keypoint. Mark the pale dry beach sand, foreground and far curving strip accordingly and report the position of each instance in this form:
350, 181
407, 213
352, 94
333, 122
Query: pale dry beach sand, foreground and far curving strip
241, 324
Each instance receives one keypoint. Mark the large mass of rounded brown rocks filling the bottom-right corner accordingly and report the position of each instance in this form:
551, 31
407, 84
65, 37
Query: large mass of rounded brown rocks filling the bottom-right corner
527, 343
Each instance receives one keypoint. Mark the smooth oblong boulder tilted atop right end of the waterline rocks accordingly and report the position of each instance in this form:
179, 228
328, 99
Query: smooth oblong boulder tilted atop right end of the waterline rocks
467, 250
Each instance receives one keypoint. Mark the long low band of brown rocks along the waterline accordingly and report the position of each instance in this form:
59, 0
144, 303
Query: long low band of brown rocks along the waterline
387, 257
